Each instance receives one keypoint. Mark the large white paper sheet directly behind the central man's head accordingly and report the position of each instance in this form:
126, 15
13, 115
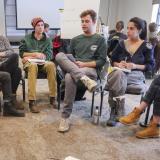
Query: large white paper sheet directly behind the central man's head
70, 20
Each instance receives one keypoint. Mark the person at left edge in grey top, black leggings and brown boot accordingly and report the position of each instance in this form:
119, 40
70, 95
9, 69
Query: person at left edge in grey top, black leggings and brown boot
9, 61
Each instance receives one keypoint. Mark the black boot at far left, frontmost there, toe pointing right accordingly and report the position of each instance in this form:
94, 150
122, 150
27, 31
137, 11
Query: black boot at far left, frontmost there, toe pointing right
10, 110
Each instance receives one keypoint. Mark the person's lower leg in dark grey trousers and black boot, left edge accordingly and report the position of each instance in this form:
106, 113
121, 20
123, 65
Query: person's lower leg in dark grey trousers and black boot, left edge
9, 108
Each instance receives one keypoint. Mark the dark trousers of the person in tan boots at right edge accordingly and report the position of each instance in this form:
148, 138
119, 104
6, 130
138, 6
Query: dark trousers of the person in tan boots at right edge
153, 95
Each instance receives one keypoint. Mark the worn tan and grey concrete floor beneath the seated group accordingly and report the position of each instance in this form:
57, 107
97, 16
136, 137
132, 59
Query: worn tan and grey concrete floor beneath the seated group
35, 137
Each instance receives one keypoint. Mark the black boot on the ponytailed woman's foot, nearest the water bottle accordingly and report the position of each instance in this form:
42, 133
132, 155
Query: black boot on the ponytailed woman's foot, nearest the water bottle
112, 120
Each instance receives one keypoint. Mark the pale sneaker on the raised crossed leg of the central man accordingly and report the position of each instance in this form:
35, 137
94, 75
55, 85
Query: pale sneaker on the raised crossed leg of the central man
89, 83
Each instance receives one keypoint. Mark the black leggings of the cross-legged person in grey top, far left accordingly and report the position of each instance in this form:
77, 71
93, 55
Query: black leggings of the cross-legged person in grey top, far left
11, 66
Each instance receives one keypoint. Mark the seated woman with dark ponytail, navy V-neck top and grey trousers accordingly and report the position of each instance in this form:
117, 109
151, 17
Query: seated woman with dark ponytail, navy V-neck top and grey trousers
131, 58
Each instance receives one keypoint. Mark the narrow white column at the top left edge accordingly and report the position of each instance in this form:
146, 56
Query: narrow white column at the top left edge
2, 18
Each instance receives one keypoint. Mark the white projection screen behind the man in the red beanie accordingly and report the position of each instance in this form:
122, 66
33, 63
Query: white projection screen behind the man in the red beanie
47, 9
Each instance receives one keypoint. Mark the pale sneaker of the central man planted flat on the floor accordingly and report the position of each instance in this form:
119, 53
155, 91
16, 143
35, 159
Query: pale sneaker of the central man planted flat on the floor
64, 125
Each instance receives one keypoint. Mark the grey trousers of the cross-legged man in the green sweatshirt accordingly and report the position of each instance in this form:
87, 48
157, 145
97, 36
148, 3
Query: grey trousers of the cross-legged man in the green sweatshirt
72, 76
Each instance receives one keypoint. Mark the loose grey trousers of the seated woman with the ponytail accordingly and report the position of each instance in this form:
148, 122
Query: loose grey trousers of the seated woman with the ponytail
119, 81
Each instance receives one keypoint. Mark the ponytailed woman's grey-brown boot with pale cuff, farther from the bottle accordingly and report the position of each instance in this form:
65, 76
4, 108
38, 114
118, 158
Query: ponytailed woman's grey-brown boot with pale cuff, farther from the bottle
120, 109
